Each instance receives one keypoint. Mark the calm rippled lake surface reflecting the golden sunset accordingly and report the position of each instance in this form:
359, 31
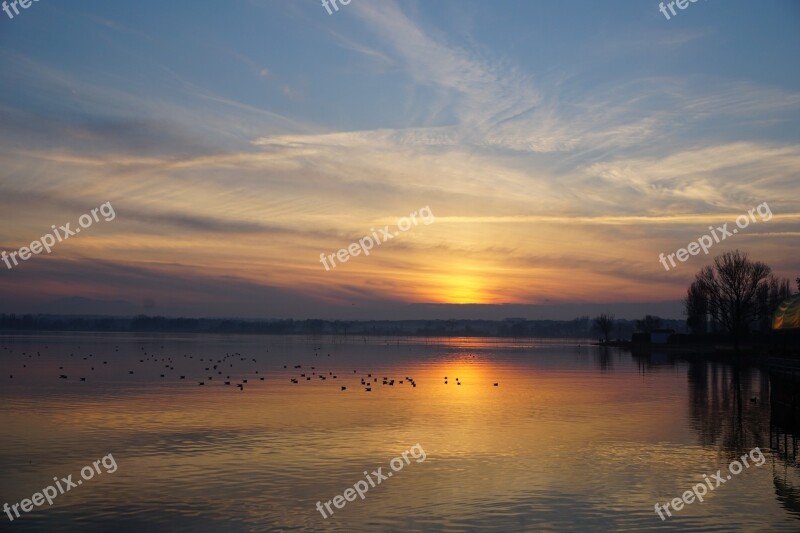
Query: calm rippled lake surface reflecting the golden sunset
571, 438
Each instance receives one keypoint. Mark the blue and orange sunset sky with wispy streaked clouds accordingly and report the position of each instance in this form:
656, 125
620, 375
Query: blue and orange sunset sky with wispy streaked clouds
559, 148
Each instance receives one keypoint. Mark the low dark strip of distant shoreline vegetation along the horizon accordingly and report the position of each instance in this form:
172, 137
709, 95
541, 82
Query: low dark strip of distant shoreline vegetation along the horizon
578, 328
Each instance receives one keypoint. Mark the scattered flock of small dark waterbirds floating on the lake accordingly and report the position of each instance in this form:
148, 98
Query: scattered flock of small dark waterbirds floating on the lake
220, 369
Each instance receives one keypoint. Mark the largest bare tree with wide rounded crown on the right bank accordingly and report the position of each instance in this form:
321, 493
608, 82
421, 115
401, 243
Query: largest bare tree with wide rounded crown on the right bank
731, 287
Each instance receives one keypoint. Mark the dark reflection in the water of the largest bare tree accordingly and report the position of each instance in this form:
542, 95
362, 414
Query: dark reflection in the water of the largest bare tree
721, 406
